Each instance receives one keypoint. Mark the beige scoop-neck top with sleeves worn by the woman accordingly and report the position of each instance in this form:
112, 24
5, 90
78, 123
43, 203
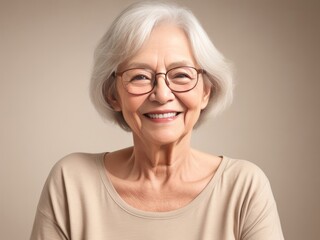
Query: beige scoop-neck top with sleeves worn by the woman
79, 202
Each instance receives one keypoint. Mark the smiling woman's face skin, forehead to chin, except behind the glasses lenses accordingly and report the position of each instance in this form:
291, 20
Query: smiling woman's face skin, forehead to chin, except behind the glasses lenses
162, 116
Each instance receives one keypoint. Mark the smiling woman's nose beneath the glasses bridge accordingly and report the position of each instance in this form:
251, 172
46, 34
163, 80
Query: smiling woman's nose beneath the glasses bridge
161, 92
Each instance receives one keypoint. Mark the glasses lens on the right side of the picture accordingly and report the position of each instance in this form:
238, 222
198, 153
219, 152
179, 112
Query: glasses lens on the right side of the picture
182, 79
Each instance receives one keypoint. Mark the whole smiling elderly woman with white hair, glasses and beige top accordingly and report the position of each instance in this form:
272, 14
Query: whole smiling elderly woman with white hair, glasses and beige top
157, 74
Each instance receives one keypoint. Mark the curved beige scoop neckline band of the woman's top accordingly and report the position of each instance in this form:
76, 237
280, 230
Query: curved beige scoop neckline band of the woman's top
152, 214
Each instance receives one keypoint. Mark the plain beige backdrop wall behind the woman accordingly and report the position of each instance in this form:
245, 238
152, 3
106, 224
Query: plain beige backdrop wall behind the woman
46, 51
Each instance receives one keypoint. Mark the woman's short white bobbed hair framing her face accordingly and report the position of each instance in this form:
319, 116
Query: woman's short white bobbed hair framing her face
126, 36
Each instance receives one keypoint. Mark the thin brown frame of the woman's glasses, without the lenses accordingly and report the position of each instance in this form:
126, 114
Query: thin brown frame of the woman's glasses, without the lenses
120, 74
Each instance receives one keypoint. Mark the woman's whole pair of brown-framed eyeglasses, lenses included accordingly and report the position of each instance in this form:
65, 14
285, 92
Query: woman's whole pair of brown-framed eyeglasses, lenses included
140, 81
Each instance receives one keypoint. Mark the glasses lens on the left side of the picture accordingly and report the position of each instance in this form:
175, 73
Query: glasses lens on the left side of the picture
138, 81
